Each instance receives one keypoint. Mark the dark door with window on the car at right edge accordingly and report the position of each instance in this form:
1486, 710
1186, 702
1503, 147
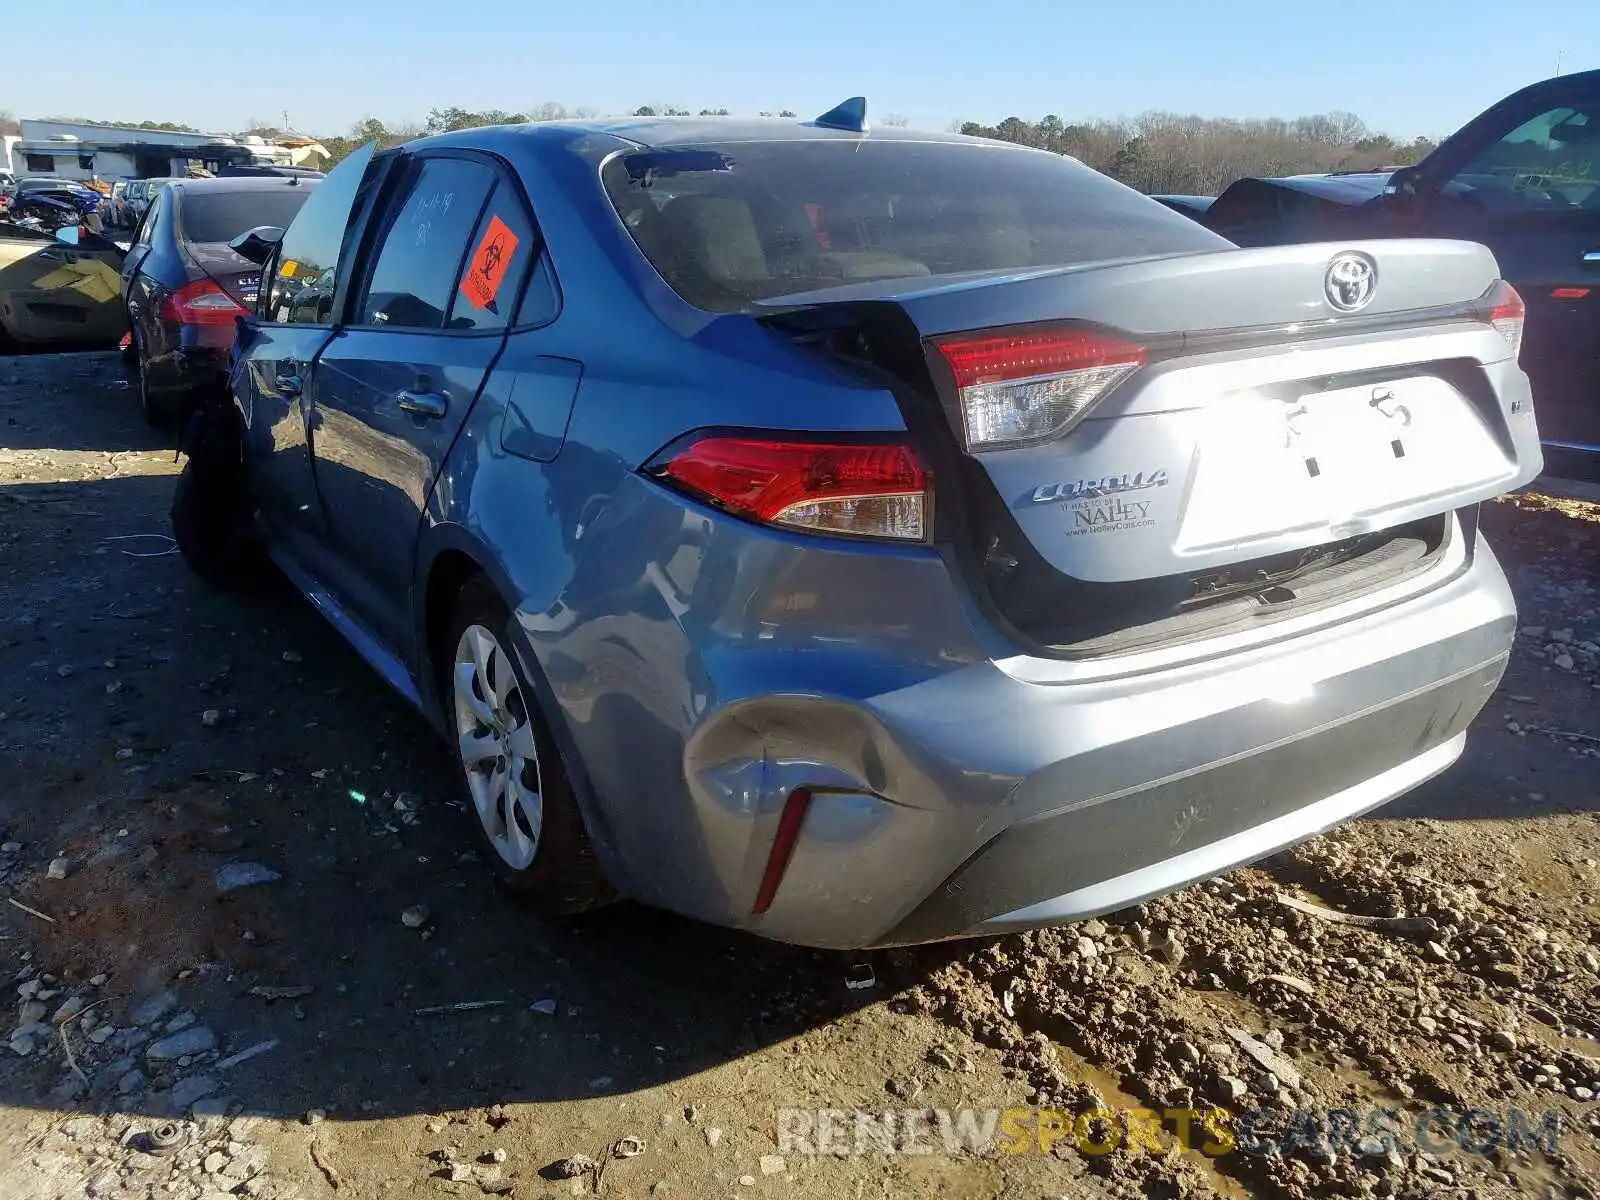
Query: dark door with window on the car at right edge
1526, 182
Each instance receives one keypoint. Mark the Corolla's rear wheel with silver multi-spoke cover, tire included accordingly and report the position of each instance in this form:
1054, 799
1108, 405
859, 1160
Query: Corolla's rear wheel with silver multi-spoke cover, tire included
526, 817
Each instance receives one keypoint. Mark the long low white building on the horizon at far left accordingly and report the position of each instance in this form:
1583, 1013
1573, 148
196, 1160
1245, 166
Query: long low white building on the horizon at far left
81, 151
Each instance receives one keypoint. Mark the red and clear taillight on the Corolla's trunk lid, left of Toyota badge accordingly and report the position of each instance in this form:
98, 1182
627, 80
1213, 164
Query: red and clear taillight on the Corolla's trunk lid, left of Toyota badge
1033, 386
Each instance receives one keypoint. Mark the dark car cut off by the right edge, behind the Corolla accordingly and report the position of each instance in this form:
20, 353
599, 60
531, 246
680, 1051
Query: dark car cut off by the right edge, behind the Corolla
1524, 180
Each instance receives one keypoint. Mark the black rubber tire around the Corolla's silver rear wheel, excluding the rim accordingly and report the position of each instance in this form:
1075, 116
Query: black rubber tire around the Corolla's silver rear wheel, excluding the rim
564, 876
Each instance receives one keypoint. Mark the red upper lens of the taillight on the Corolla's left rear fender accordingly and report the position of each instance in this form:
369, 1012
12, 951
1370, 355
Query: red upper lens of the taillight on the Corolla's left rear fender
762, 479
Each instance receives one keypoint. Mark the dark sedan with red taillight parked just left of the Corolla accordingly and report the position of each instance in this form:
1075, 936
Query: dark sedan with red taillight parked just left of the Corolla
185, 286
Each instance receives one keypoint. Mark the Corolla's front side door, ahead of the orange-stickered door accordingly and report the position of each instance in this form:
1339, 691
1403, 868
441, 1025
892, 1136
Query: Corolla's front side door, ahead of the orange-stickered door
295, 318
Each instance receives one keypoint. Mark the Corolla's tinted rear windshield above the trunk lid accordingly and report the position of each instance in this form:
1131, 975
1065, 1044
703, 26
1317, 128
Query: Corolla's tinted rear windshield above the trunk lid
734, 223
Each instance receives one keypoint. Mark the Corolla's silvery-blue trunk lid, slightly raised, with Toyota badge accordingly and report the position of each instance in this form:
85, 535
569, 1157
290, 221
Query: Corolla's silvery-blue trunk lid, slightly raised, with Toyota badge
1223, 407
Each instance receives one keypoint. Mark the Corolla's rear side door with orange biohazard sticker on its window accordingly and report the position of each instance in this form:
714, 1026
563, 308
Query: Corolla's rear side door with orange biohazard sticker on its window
394, 388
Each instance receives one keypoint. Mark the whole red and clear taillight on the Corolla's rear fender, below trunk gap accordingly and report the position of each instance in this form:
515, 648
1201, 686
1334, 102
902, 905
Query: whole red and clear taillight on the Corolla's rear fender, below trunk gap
863, 490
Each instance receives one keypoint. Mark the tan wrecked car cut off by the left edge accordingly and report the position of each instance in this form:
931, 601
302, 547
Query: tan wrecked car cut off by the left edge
60, 292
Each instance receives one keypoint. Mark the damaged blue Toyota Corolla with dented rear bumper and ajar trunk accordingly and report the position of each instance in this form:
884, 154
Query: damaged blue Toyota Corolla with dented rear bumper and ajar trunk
870, 537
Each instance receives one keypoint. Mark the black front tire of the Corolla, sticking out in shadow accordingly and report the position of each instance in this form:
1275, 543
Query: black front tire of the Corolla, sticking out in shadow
210, 514
